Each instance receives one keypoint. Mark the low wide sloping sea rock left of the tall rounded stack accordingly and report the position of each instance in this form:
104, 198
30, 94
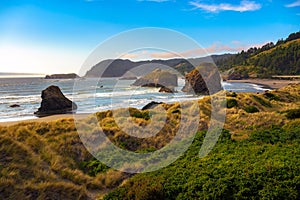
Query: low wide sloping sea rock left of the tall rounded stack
158, 78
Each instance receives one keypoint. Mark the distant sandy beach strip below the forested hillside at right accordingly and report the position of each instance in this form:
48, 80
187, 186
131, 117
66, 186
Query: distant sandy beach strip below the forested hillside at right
267, 83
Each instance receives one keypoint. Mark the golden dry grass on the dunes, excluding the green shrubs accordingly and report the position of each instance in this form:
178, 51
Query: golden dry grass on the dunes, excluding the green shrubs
42, 160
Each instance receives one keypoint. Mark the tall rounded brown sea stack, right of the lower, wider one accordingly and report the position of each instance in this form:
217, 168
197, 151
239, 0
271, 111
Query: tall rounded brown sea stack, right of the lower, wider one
197, 81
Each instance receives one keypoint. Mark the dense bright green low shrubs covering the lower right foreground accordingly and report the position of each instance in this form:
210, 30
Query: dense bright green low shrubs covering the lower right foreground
265, 166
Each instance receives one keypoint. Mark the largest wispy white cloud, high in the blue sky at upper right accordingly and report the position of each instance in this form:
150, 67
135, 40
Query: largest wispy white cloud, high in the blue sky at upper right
244, 6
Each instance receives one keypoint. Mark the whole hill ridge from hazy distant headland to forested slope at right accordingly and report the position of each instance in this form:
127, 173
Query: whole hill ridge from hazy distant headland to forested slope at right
282, 58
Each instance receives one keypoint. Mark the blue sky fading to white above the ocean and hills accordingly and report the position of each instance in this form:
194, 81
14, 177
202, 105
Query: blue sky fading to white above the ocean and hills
57, 36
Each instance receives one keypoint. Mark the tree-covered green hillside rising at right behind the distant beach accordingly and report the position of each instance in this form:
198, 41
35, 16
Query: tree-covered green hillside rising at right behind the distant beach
282, 58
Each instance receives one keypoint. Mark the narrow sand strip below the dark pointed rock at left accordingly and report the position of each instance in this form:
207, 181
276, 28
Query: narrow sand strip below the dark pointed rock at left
45, 119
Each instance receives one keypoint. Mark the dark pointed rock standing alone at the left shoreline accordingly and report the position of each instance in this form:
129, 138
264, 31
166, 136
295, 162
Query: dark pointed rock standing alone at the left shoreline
54, 102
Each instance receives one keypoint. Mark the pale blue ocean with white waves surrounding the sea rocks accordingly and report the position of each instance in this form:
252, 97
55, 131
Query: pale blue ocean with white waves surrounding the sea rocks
90, 95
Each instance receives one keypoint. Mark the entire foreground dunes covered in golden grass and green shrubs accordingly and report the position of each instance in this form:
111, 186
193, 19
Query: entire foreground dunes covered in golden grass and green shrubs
257, 155
